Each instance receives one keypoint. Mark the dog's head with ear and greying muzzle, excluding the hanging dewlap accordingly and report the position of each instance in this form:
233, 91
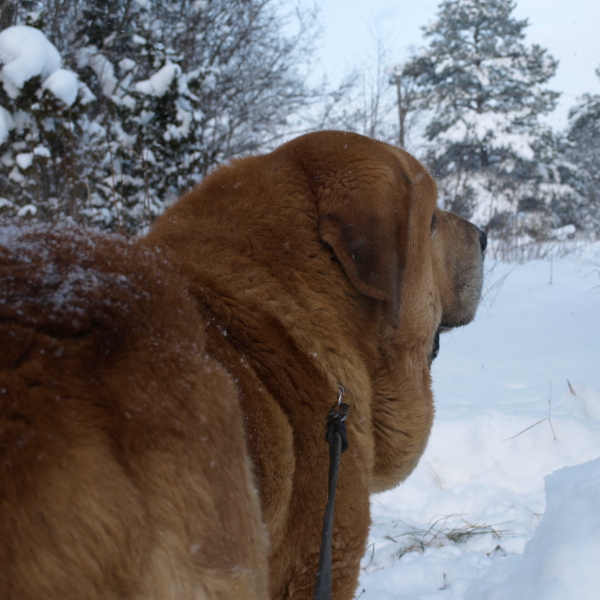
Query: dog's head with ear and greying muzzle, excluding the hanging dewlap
377, 213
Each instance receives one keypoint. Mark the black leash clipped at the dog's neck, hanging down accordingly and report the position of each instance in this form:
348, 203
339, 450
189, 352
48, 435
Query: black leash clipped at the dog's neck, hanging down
338, 444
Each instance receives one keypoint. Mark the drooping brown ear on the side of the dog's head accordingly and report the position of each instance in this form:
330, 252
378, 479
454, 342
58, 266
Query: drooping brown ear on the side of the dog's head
365, 218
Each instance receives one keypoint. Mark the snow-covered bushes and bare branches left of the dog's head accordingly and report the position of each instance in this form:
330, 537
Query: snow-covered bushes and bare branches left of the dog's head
153, 98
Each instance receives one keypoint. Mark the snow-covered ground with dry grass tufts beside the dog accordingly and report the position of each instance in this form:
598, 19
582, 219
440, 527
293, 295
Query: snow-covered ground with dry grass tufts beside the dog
505, 502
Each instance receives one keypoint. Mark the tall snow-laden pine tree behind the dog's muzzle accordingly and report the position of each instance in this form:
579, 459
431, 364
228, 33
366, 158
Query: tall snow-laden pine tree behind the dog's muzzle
484, 89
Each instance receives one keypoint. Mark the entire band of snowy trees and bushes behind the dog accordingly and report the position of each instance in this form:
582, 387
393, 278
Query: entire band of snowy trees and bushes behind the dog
111, 109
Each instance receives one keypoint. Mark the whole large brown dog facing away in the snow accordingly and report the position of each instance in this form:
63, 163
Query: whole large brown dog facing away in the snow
125, 473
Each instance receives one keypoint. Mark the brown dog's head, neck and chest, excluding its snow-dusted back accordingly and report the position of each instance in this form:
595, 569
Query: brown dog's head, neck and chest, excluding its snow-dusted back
313, 266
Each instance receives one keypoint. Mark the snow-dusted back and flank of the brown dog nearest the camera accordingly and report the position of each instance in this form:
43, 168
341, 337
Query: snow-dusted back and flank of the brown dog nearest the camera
123, 469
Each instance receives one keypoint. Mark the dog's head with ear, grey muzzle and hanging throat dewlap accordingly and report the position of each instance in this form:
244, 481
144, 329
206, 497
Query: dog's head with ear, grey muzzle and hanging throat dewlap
422, 266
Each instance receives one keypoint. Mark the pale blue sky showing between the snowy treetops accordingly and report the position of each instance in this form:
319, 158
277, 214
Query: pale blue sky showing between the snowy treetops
569, 29
